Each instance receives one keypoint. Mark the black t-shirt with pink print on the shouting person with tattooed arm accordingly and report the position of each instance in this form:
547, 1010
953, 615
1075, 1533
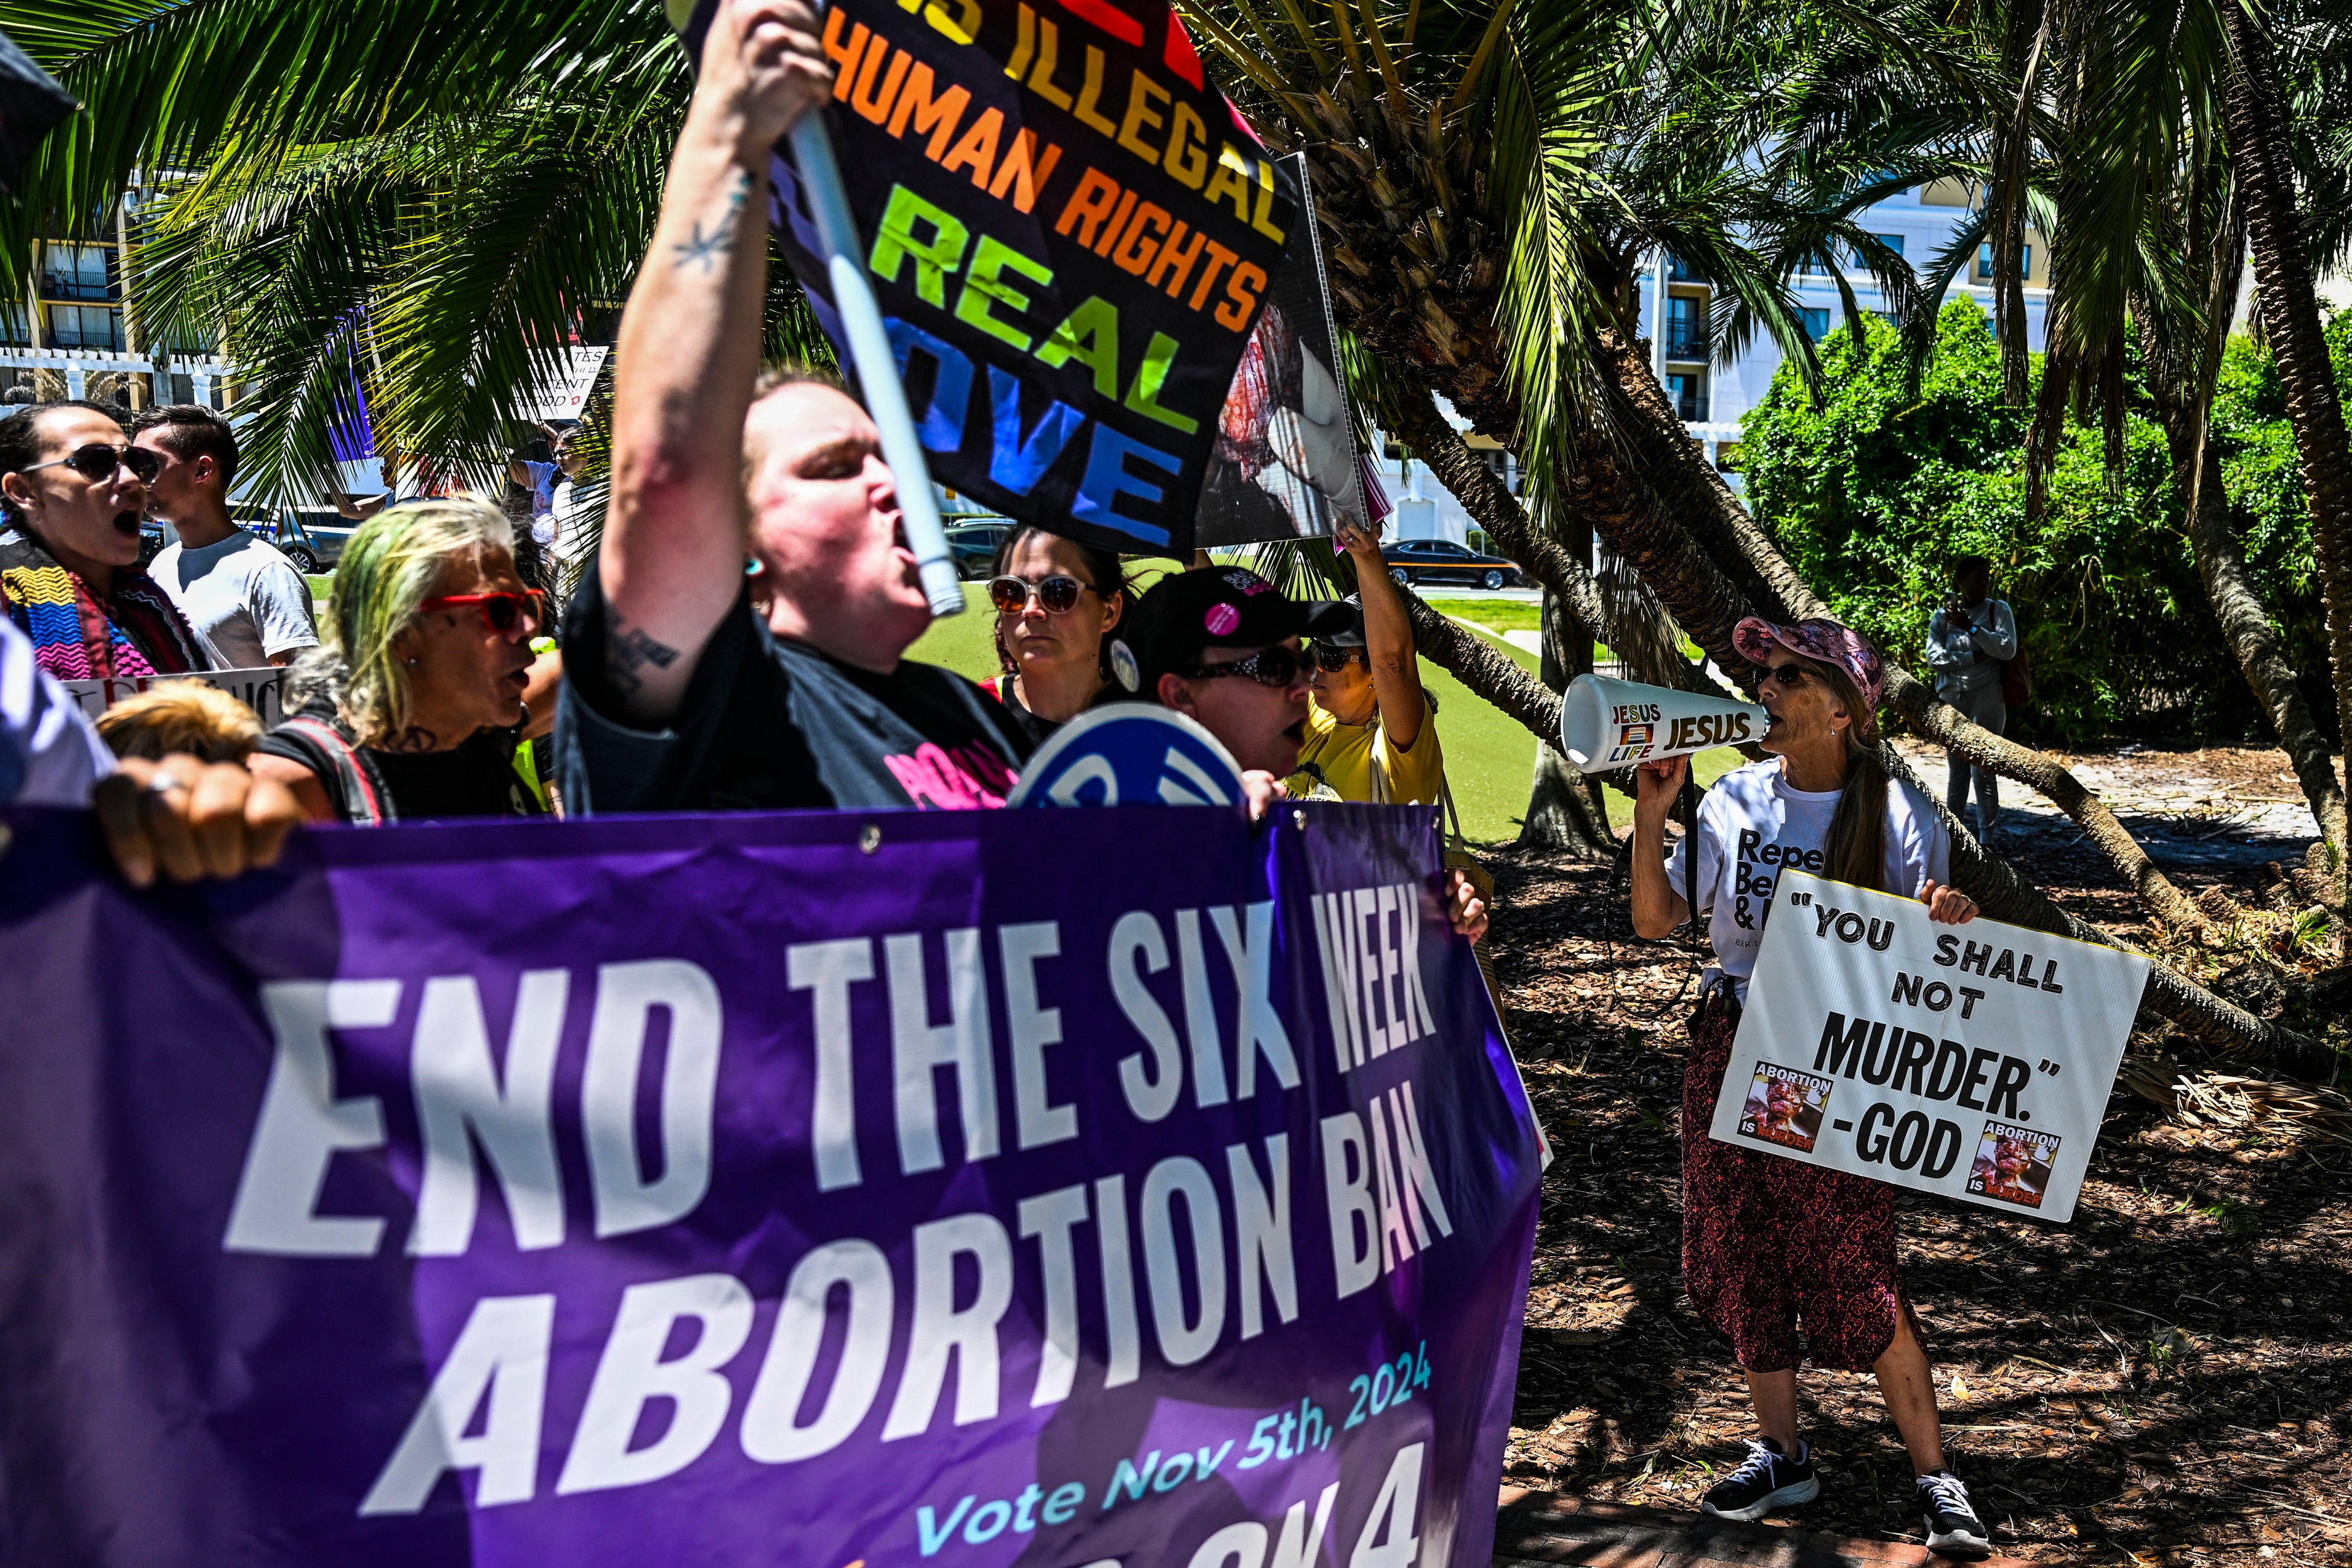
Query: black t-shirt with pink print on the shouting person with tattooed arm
775, 725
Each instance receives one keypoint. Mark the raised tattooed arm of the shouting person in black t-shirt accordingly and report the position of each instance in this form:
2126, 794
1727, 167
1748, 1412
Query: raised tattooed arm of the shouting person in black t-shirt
690, 351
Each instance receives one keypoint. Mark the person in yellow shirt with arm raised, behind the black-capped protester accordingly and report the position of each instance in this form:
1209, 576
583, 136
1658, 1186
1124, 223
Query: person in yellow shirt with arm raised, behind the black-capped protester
1372, 730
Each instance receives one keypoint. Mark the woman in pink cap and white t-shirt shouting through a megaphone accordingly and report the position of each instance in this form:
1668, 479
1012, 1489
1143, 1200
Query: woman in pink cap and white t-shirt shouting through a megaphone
1772, 1245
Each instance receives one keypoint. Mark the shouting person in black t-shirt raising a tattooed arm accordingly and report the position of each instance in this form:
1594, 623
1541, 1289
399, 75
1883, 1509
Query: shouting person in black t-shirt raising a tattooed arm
676, 697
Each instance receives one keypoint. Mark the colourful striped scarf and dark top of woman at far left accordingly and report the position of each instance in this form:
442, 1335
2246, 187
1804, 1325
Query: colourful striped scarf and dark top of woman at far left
79, 636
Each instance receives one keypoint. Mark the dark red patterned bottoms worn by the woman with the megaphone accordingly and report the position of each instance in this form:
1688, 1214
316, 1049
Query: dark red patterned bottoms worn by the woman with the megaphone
1770, 1242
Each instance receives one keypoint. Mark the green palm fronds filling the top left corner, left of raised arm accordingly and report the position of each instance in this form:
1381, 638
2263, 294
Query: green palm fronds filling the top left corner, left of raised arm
401, 199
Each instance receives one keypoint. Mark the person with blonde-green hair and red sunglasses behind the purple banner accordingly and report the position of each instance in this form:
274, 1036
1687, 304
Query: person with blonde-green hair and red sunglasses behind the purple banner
420, 699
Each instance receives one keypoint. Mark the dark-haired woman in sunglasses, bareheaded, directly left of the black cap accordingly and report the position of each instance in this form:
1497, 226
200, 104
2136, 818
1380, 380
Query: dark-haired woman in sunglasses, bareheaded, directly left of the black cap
1057, 610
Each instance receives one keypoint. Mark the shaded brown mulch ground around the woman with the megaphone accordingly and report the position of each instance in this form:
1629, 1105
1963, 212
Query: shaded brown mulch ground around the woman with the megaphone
2163, 1381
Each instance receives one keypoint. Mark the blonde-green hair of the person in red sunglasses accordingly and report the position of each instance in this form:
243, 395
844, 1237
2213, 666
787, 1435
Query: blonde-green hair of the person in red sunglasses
387, 572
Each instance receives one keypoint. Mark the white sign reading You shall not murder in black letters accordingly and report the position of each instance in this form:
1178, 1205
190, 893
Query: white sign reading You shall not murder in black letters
1970, 1061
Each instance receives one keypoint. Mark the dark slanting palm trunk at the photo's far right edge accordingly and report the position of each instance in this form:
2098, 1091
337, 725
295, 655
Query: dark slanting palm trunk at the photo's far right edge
2283, 274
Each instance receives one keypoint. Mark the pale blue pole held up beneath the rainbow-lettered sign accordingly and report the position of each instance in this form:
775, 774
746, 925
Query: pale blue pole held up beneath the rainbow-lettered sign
876, 363
